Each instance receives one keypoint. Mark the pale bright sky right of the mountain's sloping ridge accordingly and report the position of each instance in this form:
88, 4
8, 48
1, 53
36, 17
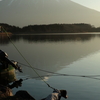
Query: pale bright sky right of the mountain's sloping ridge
93, 4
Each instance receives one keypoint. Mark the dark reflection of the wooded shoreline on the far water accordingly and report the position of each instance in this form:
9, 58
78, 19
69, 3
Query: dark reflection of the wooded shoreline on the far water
50, 38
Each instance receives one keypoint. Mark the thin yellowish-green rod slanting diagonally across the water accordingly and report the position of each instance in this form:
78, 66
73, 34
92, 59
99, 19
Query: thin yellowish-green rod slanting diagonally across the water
24, 57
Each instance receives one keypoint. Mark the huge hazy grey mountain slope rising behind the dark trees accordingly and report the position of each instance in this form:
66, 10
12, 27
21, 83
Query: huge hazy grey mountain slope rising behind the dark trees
30, 12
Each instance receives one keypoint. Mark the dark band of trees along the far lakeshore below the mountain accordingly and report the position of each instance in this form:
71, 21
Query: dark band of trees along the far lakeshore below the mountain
52, 28
